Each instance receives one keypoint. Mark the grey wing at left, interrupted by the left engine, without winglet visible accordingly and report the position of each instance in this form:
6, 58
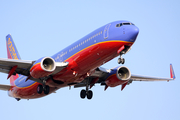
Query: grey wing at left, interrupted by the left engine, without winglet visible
23, 67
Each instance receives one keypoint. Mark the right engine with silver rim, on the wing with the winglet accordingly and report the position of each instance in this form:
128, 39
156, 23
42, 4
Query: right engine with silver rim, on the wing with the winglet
118, 76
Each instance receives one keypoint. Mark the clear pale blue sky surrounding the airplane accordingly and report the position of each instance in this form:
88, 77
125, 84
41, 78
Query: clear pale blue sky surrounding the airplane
42, 28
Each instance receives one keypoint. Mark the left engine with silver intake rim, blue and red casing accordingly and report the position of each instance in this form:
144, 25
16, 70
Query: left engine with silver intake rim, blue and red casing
43, 67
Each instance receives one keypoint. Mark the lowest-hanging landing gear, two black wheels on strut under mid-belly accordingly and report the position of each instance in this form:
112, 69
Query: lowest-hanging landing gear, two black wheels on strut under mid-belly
86, 92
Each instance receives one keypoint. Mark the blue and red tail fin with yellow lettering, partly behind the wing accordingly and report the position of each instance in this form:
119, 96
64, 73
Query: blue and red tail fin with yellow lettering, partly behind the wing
12, 53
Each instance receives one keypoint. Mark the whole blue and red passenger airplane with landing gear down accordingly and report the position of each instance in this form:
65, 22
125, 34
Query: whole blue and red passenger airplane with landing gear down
77, 65
